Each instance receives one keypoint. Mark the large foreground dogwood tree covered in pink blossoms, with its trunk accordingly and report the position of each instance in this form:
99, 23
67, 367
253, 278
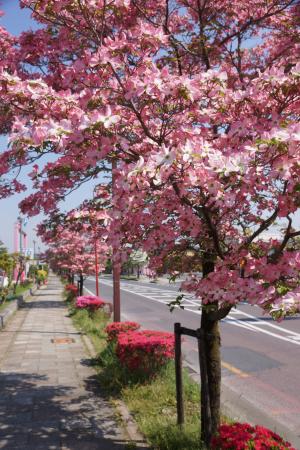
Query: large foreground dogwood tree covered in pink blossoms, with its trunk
197, 102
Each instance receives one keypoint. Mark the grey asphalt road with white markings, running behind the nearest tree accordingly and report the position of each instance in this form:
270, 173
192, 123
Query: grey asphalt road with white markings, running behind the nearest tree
260, 358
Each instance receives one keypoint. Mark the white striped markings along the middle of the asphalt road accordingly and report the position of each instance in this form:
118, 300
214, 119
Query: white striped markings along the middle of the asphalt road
250, 323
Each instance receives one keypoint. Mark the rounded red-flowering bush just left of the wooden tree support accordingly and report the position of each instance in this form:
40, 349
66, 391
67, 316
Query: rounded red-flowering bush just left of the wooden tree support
145, 351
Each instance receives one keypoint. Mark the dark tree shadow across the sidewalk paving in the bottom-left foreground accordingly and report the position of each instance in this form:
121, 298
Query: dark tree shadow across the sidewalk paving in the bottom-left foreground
37, 415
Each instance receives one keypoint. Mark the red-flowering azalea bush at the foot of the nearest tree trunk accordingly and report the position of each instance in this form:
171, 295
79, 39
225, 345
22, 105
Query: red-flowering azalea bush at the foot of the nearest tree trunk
242, 436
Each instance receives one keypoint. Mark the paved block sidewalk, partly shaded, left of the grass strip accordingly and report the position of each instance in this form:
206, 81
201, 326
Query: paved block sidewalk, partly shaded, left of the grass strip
48, 392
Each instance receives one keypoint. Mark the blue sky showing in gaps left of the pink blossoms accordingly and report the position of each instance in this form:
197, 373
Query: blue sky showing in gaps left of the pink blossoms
15, 21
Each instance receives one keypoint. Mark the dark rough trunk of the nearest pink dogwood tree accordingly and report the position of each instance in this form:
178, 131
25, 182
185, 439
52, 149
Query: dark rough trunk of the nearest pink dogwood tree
211, 368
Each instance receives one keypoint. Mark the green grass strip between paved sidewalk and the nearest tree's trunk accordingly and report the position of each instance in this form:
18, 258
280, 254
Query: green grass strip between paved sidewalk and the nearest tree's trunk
151, 402
